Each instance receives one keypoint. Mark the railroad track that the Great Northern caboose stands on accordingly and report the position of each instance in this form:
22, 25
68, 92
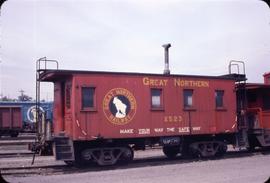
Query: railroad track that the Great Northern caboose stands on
139, 162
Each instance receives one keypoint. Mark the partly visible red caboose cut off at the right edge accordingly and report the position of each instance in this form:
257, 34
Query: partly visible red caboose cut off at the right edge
258, 113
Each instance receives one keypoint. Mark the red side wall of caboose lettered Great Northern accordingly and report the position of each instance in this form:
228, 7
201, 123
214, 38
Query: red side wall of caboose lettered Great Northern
169, 120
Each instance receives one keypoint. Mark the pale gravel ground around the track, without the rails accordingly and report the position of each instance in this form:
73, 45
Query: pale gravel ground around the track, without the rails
248, 169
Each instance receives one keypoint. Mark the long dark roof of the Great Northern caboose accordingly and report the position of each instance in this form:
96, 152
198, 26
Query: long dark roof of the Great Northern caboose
56, 75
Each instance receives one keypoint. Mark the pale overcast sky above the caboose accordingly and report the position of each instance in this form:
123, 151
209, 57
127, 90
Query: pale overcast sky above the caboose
127, 36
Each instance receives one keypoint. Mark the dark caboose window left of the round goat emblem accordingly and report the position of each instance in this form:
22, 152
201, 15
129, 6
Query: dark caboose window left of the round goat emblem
88, 94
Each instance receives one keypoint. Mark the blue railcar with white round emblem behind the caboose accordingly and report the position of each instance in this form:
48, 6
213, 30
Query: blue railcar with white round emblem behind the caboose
29, 112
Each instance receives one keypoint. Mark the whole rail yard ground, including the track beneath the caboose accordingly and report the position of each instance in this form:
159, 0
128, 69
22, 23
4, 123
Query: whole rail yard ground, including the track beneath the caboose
148, 166
